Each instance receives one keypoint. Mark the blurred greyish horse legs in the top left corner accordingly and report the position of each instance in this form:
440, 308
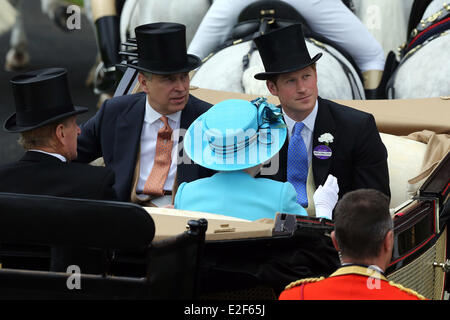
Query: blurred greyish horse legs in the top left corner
18, 57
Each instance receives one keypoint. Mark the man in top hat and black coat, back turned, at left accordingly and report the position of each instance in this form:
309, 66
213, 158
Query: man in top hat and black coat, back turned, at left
45, 117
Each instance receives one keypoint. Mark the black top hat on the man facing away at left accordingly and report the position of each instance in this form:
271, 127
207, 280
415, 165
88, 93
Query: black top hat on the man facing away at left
41, 97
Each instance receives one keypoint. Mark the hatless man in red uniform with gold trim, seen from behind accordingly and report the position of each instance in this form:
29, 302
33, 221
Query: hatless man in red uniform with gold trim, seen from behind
364, 237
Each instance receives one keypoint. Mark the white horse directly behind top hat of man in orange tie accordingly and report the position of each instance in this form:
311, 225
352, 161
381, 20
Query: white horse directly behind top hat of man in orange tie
139, 12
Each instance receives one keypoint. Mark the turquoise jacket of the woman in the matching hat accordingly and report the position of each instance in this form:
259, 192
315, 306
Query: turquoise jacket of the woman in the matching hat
239, 195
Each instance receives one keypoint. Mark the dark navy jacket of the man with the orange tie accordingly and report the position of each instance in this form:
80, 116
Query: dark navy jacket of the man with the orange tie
114, 133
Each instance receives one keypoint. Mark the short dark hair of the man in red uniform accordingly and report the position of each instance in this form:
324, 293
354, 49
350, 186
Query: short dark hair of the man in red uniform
362, 220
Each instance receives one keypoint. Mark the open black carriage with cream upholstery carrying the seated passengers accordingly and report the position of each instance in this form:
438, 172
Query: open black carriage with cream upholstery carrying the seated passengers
232, 258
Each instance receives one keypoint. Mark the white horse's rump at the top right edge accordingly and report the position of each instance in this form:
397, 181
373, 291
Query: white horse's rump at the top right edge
424, 72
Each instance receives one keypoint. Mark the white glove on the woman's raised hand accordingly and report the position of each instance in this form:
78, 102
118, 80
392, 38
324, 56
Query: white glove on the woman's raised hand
326, 197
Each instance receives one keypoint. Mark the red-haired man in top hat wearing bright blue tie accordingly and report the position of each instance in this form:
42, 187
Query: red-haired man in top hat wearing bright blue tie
324, 137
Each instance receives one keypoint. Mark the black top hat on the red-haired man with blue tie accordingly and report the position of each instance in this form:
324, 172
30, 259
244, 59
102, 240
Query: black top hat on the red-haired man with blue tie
283, 50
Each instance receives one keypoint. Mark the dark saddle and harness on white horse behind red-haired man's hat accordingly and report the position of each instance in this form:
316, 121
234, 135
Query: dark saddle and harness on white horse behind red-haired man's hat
263, 16
